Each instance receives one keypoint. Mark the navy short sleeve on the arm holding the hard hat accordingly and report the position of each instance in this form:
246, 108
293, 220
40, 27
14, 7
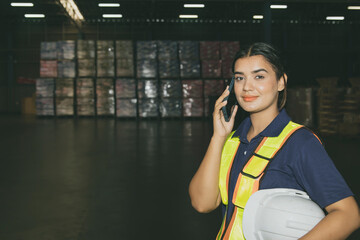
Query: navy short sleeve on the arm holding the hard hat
317, 174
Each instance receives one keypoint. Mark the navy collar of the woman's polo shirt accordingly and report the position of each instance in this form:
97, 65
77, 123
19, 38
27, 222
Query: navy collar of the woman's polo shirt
272, 130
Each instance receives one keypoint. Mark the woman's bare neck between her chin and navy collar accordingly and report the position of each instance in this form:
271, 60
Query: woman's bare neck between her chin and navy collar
260, 120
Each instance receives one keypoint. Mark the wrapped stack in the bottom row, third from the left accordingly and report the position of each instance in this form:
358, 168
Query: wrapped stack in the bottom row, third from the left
85, 98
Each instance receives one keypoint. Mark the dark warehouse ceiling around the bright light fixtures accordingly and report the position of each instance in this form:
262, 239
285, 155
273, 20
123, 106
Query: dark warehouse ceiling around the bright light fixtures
168, 10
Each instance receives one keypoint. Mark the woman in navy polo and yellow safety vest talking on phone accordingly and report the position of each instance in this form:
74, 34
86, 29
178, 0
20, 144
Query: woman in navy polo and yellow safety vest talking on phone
299, 163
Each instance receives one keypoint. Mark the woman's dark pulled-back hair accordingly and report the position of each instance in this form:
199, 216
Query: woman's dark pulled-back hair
272, 55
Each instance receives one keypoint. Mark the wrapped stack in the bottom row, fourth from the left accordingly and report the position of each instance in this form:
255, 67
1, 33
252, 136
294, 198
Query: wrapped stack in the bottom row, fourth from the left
105, 101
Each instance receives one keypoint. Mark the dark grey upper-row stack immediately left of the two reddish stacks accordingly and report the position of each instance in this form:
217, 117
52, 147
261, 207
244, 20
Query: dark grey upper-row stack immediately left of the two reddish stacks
189, 59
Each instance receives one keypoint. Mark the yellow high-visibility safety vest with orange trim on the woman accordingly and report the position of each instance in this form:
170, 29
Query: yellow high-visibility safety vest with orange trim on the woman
248, 180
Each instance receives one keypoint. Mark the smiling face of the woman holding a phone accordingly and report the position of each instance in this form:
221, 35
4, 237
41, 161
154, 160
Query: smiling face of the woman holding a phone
256, 86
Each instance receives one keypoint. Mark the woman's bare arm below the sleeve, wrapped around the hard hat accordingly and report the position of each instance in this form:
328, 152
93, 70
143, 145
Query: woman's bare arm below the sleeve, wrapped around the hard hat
342, 219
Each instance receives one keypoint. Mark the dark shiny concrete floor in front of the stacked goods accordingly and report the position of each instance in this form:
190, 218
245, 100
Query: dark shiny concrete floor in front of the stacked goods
90, 179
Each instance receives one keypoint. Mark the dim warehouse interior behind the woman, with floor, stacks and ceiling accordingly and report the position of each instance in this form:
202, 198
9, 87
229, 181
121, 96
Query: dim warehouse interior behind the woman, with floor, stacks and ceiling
105, 116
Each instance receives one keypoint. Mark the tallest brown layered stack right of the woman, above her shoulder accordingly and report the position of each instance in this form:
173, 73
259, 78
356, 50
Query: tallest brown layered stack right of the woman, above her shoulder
328, 106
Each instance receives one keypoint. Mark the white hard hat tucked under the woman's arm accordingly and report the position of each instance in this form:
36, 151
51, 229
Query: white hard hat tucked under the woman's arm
279, 214
